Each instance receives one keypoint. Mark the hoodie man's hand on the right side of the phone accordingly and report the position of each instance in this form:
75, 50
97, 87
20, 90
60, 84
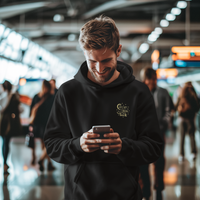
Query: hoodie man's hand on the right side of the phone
115, 143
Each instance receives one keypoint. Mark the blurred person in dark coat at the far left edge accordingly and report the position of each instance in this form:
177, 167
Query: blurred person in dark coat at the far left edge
9, 119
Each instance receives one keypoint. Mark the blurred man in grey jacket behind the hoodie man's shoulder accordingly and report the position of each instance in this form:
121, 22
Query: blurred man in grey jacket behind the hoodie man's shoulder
164, 105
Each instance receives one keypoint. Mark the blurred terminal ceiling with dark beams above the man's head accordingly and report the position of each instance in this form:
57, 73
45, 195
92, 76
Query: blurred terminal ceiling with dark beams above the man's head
135, 19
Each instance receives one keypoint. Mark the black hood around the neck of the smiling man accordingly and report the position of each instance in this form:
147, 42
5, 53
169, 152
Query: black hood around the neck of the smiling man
126, 76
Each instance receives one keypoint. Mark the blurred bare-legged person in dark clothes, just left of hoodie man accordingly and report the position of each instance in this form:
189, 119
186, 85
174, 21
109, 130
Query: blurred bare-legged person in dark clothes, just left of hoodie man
39, 113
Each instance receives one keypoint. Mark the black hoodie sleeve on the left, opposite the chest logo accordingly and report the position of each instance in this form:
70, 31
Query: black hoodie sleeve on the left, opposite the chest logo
59, 143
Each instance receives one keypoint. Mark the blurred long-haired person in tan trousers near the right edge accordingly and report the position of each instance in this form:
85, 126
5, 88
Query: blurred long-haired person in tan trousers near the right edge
187, 107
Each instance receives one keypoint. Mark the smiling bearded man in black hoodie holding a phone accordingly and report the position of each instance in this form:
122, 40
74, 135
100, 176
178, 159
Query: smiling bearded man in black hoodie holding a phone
103, 92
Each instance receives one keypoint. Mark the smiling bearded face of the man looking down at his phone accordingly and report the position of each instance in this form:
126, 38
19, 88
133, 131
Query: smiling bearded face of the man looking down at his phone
102, 64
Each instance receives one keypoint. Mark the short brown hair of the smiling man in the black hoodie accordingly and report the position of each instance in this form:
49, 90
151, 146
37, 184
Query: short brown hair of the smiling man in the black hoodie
99, 33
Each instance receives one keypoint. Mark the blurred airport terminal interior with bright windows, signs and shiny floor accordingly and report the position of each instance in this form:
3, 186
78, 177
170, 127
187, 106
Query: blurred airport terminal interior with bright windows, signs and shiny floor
39, 41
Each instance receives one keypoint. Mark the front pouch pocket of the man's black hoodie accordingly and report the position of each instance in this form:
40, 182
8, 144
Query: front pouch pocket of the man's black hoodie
100, 181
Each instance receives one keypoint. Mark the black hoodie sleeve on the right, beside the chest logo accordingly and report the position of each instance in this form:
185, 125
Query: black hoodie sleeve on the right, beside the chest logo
147, 148
